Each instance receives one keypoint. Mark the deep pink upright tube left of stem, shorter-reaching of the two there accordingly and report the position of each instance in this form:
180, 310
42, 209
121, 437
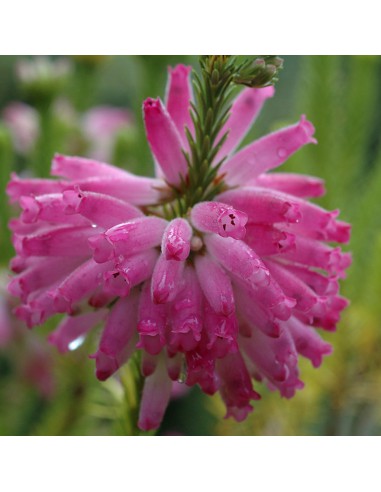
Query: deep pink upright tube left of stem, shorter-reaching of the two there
164, 140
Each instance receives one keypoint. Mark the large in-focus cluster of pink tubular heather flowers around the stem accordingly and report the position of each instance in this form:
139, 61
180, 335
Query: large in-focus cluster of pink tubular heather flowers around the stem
232, 290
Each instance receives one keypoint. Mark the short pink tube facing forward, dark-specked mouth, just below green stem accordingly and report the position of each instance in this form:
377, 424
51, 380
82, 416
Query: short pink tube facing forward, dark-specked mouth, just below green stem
219, 218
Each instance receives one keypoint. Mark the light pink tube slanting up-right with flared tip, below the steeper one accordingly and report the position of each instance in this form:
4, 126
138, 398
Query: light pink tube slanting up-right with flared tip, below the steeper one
267, 153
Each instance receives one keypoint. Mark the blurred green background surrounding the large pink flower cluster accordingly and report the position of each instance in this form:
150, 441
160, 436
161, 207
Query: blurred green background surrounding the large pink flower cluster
44, 393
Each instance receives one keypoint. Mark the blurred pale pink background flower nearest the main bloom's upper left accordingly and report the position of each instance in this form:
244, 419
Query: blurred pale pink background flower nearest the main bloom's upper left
101, 125
